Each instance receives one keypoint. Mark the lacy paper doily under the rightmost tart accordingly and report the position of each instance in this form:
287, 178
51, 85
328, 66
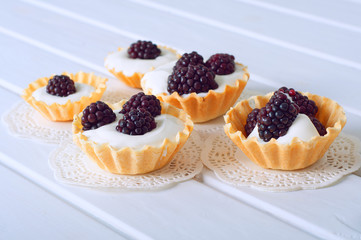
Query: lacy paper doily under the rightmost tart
230, 165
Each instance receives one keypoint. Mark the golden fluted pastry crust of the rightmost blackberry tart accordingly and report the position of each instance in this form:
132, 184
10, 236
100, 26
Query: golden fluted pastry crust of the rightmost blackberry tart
296, 155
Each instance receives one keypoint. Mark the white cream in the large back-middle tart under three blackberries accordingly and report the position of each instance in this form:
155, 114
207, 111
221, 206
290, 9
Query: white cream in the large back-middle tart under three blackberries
157, 80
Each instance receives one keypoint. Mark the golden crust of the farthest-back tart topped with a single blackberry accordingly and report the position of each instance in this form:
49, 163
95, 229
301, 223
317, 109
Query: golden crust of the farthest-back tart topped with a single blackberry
134, 80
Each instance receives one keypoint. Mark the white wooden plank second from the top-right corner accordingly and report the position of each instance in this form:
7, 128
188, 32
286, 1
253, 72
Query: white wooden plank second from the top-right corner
308, 37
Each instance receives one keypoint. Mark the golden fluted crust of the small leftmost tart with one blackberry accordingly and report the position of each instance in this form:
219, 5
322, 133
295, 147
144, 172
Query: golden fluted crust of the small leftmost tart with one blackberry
65, 112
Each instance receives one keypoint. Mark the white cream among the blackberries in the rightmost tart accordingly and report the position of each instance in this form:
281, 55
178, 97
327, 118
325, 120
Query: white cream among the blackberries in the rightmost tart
302, 128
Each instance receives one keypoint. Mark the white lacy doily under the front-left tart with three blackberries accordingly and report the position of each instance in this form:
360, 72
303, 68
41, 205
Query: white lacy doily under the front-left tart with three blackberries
72, 166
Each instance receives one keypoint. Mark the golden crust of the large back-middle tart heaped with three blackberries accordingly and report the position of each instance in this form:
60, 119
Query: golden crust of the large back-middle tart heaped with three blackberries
214, 104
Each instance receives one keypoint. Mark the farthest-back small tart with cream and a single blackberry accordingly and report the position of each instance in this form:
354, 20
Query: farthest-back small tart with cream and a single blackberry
130, 65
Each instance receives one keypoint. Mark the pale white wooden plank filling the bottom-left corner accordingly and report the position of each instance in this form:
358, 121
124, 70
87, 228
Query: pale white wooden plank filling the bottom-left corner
29, 212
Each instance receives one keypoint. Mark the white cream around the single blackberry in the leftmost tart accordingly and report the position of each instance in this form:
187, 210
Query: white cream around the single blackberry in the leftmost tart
82, 89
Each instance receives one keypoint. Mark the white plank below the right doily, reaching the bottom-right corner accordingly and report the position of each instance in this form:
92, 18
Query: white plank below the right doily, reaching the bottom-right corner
330, 213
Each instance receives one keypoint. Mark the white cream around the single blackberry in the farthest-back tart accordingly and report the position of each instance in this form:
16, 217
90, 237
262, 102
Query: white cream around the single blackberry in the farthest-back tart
120, 61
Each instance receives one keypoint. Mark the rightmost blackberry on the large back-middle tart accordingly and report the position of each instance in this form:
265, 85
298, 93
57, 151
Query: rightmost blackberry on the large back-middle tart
221, 63
